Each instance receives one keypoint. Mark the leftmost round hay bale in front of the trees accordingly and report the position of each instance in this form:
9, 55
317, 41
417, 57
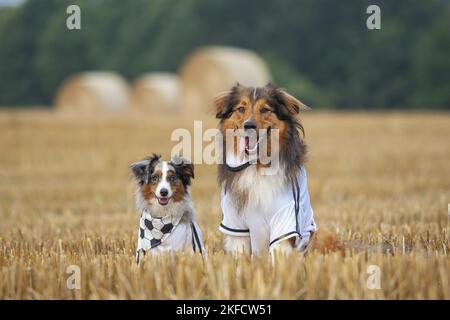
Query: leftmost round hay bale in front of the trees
89, 92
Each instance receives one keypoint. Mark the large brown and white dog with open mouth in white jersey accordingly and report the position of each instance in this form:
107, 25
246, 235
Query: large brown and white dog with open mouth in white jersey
265, 212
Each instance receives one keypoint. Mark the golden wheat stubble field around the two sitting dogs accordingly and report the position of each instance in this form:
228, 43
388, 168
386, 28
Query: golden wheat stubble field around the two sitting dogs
66, 198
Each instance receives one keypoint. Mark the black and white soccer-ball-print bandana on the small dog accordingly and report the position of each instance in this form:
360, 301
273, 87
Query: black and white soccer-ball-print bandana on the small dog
153, 231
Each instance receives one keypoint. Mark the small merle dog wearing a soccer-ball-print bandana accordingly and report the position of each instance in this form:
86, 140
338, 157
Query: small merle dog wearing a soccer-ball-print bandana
167, 213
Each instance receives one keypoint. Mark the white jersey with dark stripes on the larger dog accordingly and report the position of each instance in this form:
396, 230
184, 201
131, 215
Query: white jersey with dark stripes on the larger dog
289, 215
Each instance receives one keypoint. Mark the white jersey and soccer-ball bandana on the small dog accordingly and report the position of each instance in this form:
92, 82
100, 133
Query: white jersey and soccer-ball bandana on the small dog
158, 235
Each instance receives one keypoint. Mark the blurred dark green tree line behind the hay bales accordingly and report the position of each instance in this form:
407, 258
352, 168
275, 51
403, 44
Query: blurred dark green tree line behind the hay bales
321, 50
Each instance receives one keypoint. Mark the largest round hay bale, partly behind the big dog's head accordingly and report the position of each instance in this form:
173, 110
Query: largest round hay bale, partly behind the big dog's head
211, 70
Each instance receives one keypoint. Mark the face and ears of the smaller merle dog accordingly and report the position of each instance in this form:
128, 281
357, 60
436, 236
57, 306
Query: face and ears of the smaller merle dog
163, 181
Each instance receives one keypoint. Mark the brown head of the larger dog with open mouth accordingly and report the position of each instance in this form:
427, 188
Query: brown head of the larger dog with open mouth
256, 111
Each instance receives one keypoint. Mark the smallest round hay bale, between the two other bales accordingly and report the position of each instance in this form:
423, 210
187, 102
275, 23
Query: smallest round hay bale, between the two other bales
156, 92
